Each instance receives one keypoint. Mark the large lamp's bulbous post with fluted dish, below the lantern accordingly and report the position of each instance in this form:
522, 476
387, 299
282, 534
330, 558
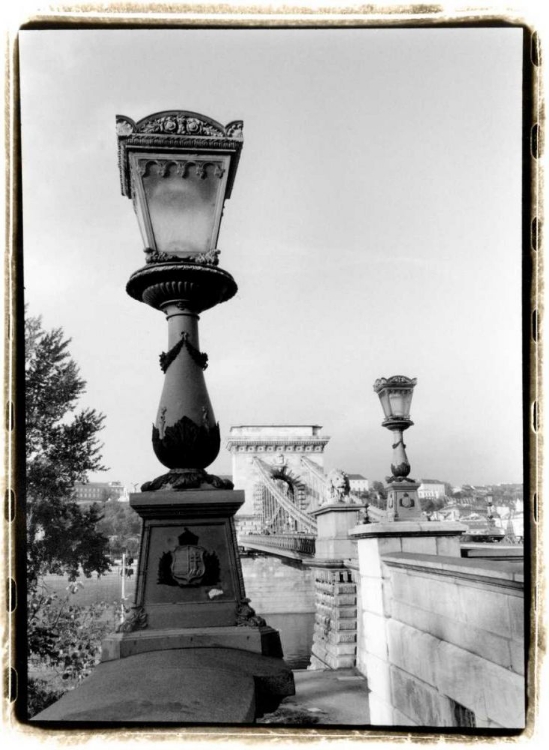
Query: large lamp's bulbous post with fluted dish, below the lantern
185, 435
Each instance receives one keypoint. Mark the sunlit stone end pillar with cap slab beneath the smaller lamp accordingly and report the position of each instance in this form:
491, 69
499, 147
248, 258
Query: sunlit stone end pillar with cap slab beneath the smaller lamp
374, 541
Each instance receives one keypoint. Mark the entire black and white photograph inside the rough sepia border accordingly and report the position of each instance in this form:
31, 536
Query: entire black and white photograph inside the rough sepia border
272, 300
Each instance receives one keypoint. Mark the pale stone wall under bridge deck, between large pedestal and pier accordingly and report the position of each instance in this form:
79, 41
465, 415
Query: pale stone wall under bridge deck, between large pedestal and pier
277, 585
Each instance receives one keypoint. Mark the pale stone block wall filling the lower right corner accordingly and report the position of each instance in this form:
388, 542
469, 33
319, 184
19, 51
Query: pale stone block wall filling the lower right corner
441, 641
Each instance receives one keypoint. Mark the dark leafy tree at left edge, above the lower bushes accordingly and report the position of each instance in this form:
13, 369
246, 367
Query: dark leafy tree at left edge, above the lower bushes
61, 448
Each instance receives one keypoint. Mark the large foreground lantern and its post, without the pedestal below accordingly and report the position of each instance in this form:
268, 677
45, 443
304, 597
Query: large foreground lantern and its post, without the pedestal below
178, 168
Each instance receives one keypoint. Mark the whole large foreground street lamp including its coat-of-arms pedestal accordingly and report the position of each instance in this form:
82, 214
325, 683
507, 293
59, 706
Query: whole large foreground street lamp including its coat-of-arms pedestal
178, 168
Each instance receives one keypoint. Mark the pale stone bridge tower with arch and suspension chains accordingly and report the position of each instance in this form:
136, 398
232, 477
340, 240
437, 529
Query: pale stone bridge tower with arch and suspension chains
280, 469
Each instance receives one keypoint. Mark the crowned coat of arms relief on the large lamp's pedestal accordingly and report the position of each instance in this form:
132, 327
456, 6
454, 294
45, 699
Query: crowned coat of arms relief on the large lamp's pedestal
188, 564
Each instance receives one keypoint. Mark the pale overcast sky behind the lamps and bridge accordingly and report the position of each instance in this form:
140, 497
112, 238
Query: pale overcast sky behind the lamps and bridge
374, 230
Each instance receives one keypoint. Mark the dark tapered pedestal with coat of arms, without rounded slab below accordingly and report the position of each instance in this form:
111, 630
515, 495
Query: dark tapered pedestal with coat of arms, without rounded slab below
190, 591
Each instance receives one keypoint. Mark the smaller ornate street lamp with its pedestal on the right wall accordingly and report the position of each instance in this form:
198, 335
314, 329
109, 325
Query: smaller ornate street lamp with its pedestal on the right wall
395, 394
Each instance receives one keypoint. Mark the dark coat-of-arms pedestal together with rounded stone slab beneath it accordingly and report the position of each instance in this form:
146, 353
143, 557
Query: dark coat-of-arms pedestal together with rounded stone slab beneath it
191, 649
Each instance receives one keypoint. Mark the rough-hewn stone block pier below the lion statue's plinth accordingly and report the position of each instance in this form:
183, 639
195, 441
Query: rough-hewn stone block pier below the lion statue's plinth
335, 630
